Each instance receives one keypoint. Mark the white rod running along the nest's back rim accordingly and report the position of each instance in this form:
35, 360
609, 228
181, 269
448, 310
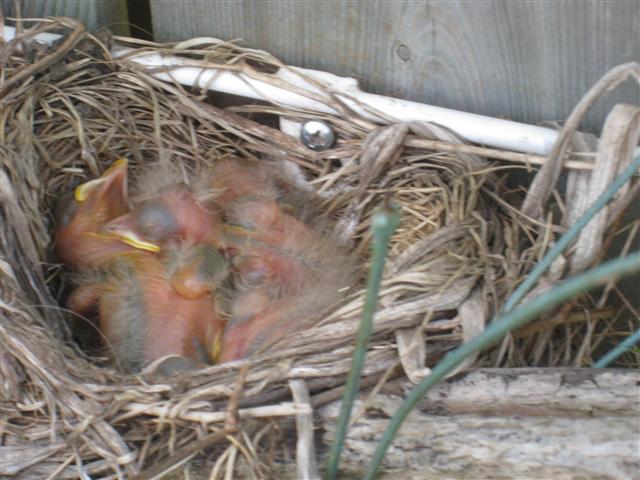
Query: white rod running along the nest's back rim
489, 131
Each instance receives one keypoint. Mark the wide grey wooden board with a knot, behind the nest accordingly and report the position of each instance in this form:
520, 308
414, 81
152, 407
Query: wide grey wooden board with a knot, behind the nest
530, 61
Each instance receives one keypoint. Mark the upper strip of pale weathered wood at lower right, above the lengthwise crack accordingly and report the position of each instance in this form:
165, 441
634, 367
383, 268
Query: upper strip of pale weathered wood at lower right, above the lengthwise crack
562, 392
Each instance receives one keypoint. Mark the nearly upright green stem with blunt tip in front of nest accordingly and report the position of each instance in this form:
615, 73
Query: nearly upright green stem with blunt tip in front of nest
383, 224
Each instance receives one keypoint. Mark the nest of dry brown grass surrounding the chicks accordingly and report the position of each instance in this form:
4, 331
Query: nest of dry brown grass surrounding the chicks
464, 243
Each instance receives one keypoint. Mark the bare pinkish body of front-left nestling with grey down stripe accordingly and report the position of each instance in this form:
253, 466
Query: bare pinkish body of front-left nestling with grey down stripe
166, 322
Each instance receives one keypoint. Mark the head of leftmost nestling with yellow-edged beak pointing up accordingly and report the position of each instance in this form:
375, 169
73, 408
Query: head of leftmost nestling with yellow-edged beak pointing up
80, 216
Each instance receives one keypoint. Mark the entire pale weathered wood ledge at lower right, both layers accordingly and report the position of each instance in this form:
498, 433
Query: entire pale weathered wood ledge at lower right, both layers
505, 423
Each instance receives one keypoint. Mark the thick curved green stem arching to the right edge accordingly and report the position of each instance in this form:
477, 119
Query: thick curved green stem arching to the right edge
495, 331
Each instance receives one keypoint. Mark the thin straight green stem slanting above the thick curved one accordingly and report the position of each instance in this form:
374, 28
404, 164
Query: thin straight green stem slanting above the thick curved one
569, 236
